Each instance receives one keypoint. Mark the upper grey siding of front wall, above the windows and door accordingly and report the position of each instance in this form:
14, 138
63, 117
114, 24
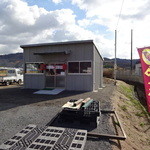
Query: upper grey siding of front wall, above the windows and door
78, 52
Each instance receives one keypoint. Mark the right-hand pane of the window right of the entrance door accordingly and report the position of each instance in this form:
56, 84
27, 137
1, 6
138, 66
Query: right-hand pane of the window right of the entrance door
85, 67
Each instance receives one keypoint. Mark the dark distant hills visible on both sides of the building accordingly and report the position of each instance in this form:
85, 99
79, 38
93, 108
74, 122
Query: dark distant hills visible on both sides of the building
16, 60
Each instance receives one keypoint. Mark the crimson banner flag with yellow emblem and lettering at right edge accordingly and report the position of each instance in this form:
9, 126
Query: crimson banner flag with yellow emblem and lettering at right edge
145, 63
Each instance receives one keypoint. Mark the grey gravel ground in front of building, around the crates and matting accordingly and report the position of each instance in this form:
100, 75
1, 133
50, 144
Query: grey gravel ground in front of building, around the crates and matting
20, 107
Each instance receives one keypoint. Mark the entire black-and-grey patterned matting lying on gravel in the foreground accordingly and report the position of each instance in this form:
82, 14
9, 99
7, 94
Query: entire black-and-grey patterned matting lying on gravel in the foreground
46, 138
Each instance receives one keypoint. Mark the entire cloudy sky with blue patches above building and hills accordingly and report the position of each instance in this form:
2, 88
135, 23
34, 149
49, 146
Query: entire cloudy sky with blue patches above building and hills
43, 21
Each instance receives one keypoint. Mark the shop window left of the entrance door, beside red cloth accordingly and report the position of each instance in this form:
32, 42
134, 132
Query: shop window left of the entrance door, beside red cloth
34, 68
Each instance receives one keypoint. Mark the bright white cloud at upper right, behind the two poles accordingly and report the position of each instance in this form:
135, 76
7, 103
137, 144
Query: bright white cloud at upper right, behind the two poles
135, 15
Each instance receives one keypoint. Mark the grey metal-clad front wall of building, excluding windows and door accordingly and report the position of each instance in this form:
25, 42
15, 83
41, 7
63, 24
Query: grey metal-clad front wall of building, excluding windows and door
79, 52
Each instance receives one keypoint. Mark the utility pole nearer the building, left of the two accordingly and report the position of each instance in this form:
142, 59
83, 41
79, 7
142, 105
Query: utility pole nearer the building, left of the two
115, 62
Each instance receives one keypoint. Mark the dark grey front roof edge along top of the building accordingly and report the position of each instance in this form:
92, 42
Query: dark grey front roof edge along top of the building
57, 43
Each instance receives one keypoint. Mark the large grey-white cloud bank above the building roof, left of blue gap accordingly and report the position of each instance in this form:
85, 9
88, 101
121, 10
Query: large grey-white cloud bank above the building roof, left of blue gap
36, 25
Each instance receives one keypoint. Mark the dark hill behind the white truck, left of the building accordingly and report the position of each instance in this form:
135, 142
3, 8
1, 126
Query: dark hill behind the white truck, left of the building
11, 60
